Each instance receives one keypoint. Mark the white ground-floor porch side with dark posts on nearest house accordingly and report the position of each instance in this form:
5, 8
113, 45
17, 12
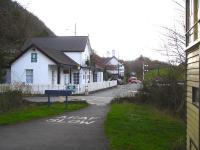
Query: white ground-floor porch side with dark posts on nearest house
65, 75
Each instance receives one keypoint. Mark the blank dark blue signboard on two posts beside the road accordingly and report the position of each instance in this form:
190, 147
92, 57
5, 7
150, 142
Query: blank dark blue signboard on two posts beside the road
57, 93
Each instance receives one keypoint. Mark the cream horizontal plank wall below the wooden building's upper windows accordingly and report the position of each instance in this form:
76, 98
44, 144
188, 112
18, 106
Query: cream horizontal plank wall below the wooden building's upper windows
192, 110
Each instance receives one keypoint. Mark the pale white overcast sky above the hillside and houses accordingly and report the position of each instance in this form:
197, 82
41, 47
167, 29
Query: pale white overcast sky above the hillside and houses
130, 27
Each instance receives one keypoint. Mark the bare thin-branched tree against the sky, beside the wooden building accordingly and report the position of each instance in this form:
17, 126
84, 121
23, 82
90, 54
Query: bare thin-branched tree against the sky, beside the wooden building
173, 37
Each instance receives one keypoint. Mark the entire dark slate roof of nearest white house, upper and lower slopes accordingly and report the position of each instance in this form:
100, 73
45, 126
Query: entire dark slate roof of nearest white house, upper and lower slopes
54, 47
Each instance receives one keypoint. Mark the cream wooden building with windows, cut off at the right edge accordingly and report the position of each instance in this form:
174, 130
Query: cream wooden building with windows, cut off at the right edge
192, 55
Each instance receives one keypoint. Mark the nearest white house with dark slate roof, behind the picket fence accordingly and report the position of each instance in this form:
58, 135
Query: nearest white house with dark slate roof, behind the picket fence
55, 60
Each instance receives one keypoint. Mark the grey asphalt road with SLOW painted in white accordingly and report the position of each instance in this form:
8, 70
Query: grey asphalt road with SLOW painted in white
80, 130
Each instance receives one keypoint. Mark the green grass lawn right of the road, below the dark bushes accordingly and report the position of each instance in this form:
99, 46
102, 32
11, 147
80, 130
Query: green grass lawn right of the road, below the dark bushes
139, 127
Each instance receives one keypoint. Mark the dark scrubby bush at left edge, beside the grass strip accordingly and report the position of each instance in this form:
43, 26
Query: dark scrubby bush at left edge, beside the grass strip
10, 99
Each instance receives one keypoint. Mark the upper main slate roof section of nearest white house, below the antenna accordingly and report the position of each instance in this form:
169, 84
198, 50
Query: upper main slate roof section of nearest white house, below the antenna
60, 43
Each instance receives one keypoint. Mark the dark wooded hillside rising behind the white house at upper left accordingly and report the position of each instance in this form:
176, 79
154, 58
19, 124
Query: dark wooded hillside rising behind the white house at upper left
16, 25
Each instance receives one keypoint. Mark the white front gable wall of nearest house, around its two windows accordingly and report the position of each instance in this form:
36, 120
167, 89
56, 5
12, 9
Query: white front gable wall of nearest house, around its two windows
40, 68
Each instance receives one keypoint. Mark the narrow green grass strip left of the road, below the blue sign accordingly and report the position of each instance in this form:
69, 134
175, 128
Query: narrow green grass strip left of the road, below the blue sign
35, 111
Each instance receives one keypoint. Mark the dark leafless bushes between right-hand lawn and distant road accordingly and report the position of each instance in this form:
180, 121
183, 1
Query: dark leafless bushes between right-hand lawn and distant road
169, 96
